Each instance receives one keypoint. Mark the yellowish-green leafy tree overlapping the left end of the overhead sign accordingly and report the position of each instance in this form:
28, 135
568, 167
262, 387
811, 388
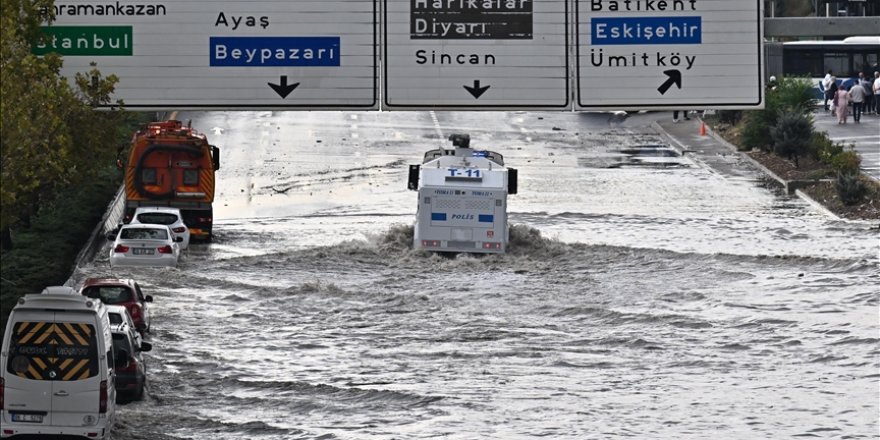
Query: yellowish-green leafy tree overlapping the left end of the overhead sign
49, 133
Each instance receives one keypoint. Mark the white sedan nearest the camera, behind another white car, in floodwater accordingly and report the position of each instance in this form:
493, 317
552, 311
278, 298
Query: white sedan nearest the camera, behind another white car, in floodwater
145, 245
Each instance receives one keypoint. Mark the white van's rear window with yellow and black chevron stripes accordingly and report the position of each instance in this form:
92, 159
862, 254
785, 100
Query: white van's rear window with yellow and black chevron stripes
44, 350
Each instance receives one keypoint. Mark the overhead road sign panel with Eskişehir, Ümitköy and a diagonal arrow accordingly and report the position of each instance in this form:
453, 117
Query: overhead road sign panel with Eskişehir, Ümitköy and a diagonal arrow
673, 54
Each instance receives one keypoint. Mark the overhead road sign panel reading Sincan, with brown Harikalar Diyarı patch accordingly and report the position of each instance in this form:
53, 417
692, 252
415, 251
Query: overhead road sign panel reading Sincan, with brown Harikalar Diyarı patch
476, 54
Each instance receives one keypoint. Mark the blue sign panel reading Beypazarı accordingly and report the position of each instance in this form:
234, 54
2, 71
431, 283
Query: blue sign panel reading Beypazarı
274, 51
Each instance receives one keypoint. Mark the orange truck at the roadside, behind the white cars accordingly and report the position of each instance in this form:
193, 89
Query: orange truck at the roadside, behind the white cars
173, 165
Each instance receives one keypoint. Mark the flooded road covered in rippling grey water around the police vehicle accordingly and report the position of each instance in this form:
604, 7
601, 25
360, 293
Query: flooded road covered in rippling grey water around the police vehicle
644, 295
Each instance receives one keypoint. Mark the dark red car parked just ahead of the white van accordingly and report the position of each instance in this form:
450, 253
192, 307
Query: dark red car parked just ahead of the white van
122, 292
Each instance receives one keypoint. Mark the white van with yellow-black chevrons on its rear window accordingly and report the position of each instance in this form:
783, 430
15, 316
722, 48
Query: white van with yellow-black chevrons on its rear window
57, 367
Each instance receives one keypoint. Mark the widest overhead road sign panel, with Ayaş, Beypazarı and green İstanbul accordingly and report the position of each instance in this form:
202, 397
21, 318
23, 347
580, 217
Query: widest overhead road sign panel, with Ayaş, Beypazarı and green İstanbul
314, 54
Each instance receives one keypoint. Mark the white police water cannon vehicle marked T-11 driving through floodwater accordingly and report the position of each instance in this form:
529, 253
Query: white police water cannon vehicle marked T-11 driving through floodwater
462, 199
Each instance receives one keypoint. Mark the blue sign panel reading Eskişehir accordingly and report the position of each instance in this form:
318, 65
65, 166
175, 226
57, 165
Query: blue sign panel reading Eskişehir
646, 30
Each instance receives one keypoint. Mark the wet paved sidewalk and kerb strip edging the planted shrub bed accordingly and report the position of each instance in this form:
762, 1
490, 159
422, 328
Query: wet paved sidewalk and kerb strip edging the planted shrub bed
716, 153
